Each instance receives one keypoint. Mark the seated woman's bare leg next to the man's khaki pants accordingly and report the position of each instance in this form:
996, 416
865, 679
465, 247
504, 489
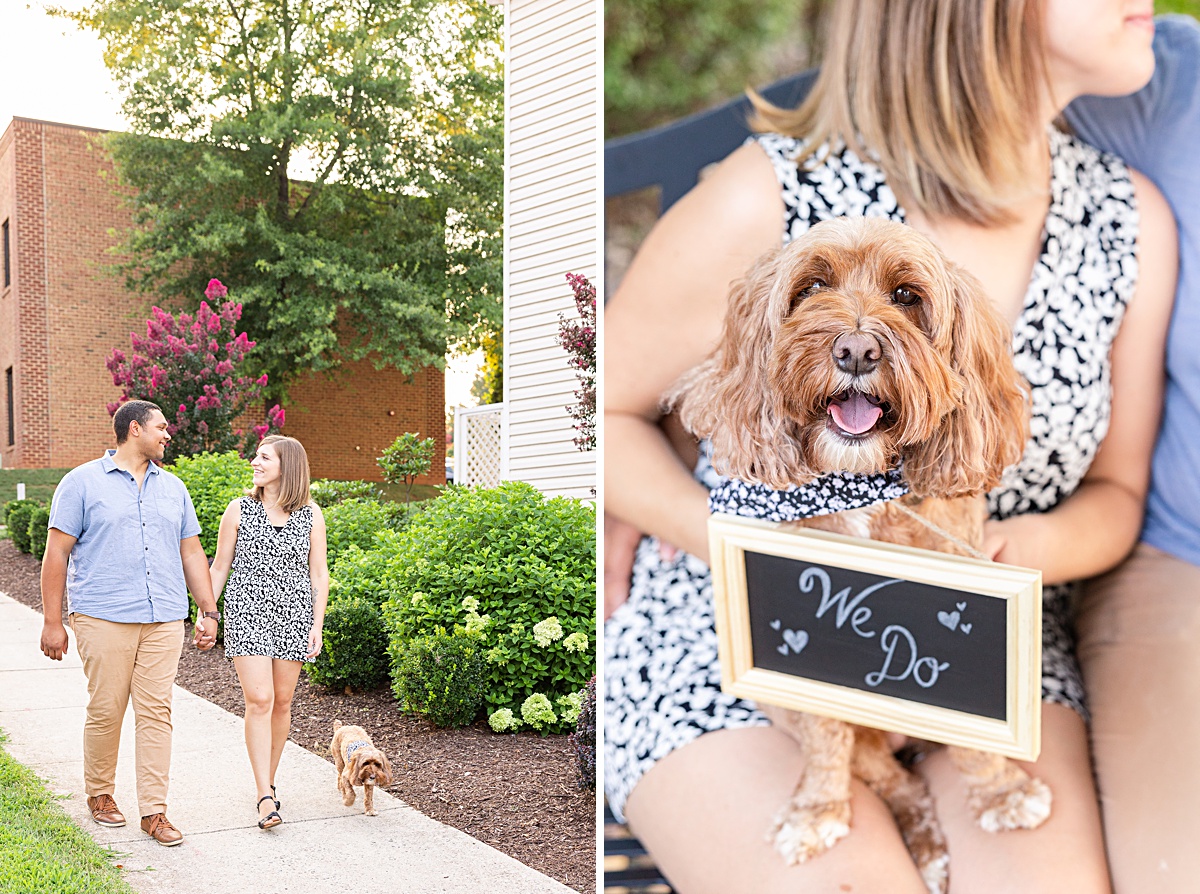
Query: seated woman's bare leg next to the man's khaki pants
1066, 854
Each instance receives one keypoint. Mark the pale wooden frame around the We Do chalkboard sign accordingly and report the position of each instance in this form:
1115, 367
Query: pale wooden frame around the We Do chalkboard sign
1019, 735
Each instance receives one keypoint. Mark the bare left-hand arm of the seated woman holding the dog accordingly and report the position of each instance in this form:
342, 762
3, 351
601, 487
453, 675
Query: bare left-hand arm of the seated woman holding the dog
667, 319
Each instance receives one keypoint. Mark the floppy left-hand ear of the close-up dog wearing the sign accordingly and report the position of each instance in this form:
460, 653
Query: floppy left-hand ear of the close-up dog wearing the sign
730, 398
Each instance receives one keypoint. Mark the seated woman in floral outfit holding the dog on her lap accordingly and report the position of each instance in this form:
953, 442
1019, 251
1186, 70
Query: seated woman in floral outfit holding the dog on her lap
952, 123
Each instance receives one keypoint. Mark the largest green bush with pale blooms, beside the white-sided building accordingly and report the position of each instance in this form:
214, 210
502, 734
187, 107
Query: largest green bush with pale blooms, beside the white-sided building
513, 568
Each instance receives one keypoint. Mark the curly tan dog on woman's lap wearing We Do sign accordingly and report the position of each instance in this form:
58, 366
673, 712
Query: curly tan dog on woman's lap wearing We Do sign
856, 349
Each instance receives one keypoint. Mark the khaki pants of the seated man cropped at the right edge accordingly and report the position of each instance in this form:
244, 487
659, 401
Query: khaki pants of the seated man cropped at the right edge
1139, 647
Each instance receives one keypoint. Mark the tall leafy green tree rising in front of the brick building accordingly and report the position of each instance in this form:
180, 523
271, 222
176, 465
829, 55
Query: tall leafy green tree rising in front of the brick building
338, 164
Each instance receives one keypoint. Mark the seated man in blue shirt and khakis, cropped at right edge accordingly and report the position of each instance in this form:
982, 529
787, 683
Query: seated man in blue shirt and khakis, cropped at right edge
1139, 626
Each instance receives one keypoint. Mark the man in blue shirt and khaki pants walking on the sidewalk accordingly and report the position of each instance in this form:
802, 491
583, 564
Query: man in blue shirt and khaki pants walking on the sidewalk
124, 544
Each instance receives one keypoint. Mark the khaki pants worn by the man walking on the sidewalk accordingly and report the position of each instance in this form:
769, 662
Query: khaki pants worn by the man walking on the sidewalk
123, 662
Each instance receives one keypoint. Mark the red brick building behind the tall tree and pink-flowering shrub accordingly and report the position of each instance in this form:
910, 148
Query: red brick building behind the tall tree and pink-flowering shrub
62, 316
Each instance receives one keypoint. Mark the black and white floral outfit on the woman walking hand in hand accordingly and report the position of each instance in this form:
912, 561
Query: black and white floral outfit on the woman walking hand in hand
268, 605
